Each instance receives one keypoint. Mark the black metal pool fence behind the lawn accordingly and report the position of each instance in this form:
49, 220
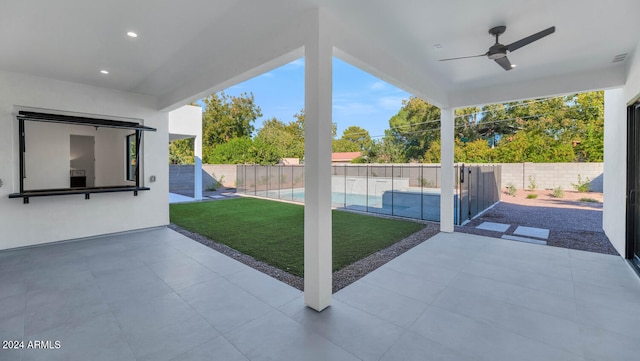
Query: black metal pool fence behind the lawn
404, 190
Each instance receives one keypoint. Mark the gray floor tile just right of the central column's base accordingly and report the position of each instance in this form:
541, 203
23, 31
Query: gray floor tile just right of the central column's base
376, 301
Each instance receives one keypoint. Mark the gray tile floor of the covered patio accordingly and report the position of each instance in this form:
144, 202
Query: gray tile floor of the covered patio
156, 295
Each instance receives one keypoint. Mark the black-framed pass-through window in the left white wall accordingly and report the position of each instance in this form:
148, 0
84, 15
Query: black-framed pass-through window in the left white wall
61, 154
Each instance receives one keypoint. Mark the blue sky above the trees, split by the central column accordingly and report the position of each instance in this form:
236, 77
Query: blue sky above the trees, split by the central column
358, 97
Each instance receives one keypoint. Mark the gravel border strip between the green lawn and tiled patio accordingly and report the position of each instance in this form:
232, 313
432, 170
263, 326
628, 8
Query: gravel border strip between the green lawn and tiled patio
341, 278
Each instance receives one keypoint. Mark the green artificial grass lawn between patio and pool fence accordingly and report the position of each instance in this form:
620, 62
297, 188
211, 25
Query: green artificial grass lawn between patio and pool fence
273, 232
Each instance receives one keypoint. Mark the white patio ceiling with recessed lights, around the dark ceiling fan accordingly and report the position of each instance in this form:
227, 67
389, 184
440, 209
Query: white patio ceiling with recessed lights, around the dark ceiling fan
189, 47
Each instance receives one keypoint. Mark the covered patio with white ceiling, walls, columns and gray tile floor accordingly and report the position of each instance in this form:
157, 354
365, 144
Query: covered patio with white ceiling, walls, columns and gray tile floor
135, 290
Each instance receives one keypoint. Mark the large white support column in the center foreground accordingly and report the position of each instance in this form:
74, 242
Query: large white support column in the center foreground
317, 167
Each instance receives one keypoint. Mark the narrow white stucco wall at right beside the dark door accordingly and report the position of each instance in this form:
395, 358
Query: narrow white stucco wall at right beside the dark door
615, 168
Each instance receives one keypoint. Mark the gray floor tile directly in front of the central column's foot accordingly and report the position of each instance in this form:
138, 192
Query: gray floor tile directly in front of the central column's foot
360, 333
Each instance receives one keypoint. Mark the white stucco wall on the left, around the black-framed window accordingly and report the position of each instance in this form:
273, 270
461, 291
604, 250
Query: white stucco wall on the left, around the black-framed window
48, 219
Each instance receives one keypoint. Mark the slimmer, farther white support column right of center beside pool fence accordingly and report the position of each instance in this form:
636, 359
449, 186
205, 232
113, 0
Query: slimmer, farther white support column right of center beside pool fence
447, 180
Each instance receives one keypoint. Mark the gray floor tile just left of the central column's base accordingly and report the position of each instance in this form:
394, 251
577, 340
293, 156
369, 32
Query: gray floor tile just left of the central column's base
267, 289
